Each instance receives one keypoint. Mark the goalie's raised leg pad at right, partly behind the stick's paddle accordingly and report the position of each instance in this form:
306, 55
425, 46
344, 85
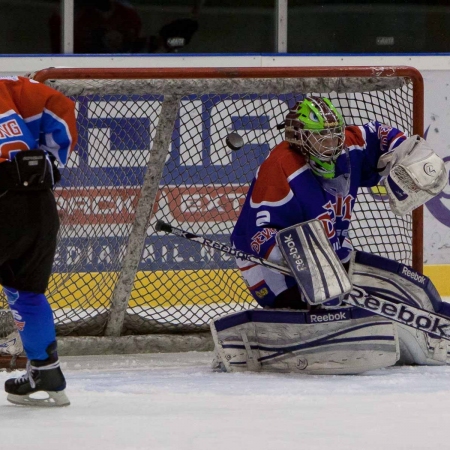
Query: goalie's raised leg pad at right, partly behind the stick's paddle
401, 284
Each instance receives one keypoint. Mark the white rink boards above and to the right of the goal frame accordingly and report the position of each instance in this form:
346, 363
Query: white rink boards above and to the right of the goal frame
434, 68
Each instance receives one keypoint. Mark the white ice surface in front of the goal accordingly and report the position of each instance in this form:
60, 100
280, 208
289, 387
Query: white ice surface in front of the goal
174, 401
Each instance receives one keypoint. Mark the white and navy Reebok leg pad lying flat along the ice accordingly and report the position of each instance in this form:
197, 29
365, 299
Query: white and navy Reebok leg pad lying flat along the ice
325, 342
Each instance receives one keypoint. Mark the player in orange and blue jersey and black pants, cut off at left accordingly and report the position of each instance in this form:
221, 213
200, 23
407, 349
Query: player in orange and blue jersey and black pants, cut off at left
37, 134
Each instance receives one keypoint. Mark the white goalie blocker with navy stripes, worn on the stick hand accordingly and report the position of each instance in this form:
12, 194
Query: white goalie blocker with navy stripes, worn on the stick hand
315, 266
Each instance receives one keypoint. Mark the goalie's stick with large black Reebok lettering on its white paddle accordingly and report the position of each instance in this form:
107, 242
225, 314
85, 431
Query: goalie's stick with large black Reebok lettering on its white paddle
435, 324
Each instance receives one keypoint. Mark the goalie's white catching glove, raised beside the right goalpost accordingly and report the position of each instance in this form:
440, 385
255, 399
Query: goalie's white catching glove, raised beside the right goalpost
414, 174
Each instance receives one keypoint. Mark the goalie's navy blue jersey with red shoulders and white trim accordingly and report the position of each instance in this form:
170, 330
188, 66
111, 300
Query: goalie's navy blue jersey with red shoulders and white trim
285, 192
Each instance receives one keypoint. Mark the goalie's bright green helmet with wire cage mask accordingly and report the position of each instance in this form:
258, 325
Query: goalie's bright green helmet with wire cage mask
316, 128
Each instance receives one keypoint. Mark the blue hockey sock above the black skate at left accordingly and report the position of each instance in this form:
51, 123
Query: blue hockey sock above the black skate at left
34, 320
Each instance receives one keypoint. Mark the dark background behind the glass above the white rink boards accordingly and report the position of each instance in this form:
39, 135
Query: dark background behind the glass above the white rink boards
234, 26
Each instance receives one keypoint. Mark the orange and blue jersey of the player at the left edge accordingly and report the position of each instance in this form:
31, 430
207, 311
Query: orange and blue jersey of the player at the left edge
33, 115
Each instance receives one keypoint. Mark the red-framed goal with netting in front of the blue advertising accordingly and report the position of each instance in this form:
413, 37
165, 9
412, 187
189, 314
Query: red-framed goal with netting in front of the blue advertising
152, 146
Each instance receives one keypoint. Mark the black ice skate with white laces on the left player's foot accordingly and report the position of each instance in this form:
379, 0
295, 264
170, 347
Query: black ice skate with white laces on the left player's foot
42, 376
